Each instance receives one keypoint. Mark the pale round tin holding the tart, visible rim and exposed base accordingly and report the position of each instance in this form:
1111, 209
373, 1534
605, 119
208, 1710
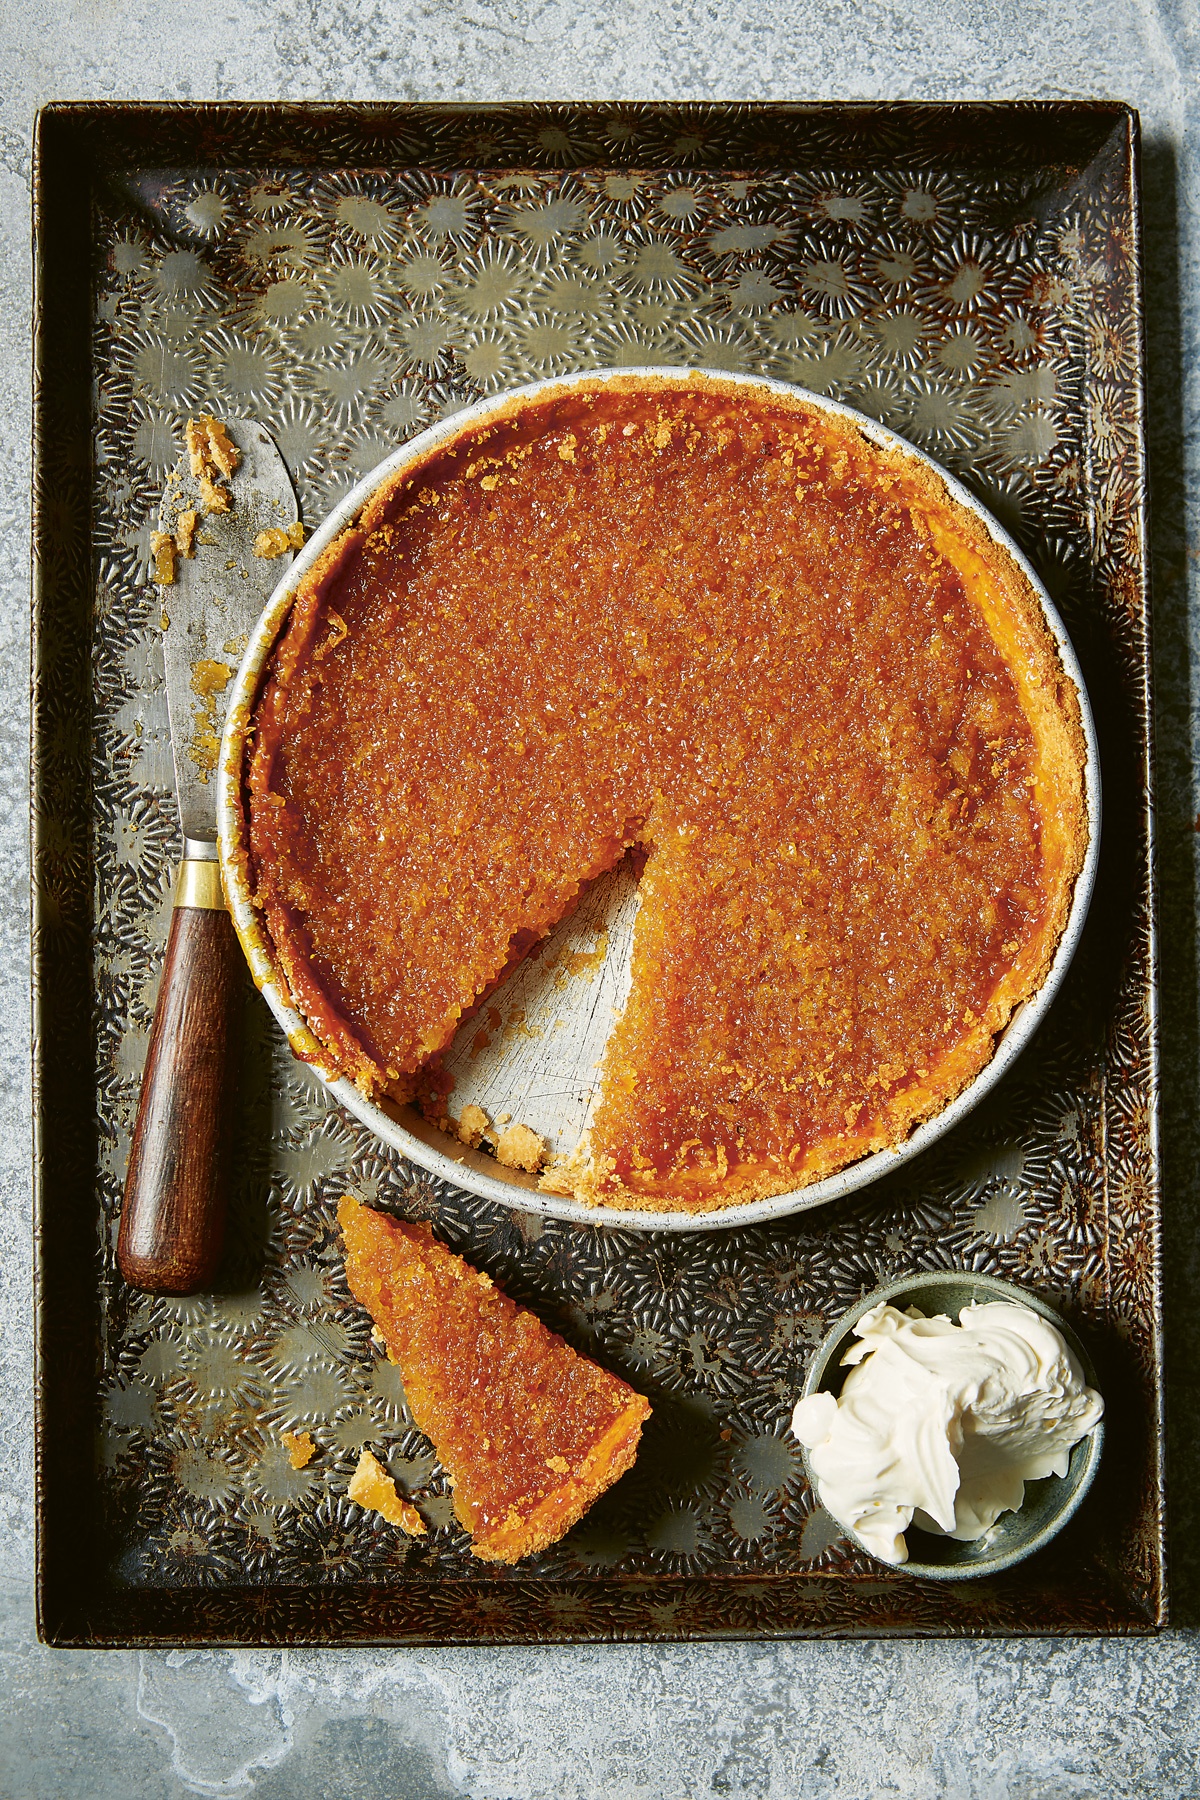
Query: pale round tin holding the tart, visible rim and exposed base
532, 1077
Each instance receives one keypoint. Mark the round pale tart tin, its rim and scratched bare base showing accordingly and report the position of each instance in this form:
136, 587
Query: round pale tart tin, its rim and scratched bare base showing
533, 1048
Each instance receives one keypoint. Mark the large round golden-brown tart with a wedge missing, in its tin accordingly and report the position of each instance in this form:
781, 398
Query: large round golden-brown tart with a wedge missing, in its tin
728, 629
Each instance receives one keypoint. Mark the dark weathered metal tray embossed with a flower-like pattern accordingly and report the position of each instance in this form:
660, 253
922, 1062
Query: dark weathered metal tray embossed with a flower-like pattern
348, 274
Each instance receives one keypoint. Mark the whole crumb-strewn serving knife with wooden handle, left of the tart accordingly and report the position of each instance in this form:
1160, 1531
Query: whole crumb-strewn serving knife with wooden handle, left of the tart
179, 1174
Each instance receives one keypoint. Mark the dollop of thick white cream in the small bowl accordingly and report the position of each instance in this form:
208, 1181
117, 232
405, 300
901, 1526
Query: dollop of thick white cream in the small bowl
942, 1425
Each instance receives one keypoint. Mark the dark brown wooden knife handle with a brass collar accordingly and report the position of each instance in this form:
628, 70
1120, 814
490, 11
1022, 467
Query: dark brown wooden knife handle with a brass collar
177, 1185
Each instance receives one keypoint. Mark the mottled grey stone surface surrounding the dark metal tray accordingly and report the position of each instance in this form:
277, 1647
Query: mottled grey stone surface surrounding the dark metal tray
990, 1722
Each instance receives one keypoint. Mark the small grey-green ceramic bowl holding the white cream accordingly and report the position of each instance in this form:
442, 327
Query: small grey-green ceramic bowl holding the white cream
1048, 1504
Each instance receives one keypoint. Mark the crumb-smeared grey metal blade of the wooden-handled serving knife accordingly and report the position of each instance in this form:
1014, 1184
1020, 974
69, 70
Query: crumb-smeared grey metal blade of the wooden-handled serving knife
211, 607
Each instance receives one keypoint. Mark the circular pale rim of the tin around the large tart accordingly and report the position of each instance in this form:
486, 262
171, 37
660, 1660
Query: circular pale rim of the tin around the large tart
422, 1142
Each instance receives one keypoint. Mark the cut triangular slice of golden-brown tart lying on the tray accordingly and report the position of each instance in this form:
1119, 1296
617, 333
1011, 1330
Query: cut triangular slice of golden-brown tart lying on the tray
530, 1432
